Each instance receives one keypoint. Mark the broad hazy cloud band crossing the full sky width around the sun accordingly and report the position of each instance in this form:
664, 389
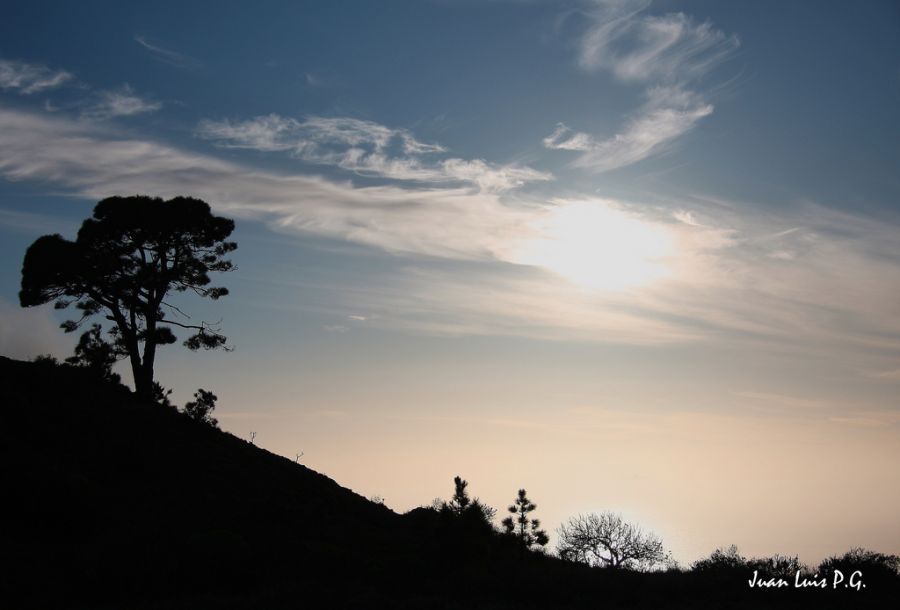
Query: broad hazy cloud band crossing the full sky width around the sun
837, 295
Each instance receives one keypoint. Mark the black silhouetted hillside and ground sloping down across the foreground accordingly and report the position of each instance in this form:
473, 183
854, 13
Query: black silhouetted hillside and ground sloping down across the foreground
112, 503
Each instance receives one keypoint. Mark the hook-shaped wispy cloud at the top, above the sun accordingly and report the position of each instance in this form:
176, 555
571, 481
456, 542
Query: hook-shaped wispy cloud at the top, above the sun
666, 52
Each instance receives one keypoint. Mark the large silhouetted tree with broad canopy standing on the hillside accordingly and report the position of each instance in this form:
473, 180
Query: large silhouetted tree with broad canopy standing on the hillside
126, 260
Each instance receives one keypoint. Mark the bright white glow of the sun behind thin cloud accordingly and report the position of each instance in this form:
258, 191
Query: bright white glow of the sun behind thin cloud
598, 246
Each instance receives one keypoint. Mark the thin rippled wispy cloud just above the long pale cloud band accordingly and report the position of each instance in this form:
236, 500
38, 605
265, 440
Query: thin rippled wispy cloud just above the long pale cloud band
365, 148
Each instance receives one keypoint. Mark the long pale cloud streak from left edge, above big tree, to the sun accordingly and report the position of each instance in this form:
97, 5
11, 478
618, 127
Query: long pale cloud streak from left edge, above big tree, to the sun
453, 222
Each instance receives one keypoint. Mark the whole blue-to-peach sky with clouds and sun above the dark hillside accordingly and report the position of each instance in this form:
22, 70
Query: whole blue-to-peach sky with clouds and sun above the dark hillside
632, 256
